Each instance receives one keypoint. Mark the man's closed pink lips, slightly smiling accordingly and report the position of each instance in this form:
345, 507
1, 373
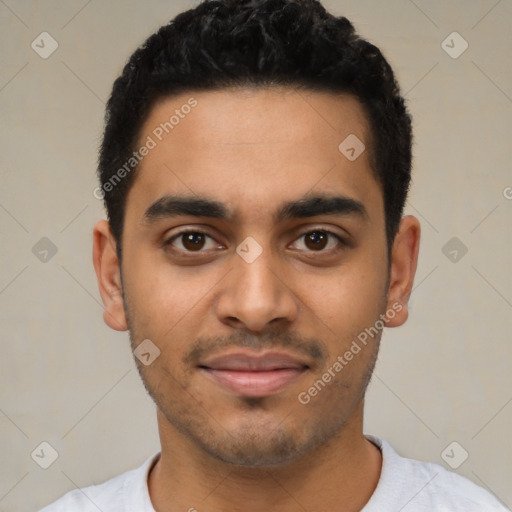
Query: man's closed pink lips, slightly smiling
254, 375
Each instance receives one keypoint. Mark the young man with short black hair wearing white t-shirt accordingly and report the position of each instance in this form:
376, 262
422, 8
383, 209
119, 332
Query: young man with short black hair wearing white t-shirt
255, 165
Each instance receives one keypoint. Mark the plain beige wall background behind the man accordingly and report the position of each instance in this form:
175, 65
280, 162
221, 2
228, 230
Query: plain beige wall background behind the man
69, 380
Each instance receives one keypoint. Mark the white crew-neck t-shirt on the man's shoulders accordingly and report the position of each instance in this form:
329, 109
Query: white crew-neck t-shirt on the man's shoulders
405, 485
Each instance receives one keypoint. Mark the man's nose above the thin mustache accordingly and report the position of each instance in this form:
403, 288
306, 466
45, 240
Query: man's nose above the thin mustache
255, 294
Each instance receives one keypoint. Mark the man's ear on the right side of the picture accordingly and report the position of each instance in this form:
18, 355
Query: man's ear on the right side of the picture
404, 260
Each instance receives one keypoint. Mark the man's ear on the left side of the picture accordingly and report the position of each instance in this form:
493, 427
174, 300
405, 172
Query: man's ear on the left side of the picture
108, 274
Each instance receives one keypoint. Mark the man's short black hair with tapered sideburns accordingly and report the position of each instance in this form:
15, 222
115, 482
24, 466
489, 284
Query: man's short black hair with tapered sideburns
239, 43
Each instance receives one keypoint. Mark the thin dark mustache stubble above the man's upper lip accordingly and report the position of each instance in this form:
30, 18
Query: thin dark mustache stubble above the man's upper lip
203, 347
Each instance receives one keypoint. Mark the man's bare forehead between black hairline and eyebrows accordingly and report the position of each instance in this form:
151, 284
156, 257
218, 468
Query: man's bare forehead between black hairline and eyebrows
253, 149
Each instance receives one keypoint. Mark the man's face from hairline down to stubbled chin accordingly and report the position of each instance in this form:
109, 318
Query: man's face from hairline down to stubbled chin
254, 257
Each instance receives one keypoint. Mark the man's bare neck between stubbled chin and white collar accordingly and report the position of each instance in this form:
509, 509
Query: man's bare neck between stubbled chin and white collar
342, 474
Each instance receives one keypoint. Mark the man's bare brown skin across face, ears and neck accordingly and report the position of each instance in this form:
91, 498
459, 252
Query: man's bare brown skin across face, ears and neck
252, 150
